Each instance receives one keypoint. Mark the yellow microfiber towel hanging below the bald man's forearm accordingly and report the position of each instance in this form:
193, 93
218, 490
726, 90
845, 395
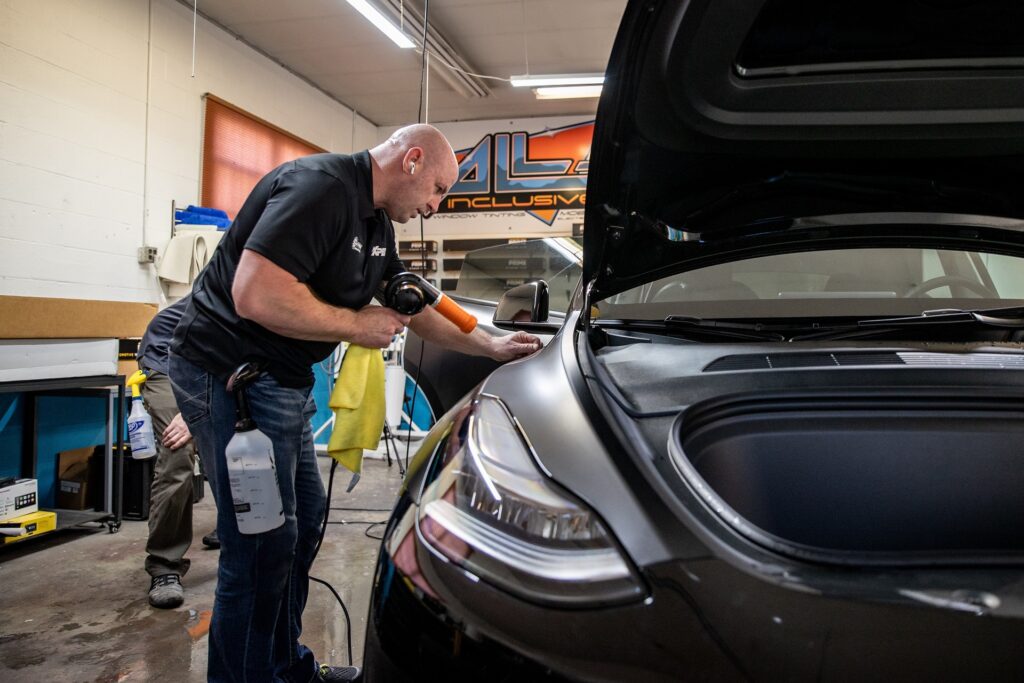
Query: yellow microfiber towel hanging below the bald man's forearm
358, 402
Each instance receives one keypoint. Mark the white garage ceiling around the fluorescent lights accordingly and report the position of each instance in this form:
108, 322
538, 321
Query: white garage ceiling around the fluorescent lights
333, 47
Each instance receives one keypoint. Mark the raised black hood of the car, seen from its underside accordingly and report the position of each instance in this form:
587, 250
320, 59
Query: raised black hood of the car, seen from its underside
735, 130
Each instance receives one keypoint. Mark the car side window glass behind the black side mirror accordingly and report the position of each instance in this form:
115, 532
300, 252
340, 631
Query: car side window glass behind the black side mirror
487, 274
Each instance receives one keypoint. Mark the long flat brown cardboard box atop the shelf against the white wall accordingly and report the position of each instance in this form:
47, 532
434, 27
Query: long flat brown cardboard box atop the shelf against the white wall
41, 318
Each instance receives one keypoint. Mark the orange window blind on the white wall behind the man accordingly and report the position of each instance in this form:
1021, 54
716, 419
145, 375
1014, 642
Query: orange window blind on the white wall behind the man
238, 150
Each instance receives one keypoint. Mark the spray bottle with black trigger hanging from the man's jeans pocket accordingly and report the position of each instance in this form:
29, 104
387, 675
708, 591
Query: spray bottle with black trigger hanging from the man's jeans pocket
251, 471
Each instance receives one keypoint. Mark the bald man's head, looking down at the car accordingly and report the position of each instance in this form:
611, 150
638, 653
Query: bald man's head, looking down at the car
413, 172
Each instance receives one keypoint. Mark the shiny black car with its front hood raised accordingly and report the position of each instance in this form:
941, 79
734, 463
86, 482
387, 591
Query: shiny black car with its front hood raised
779, 434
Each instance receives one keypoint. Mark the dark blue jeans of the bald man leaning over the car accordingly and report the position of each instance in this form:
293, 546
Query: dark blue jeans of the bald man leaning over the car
264, 579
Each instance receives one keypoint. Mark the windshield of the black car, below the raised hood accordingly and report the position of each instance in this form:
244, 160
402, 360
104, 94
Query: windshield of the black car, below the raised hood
833, 283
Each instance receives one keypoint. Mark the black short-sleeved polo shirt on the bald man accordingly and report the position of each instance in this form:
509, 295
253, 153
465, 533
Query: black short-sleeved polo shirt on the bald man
314, 218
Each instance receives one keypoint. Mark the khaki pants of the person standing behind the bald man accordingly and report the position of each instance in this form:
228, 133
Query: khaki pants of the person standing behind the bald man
172, 495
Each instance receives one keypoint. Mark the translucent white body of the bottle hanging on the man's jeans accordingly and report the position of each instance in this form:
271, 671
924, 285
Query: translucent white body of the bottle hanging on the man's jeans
253, 480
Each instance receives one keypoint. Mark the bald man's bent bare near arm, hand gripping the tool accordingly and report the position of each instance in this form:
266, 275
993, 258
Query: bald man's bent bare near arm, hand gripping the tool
269, 295
